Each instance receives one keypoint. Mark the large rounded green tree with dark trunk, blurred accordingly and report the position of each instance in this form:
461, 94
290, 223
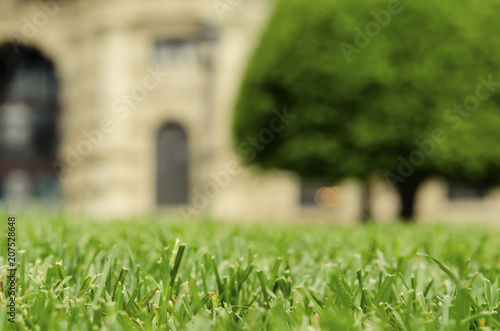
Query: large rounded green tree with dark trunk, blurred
378, 87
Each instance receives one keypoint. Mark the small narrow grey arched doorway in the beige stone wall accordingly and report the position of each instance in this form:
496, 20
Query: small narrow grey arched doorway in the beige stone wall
172, 165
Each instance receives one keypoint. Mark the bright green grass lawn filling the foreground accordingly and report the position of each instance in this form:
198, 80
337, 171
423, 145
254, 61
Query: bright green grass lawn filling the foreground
172, 275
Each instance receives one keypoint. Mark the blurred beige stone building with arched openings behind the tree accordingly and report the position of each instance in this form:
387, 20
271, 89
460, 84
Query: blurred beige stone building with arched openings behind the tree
122, 108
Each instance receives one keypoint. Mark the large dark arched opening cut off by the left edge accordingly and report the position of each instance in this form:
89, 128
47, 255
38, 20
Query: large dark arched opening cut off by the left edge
29, 115
